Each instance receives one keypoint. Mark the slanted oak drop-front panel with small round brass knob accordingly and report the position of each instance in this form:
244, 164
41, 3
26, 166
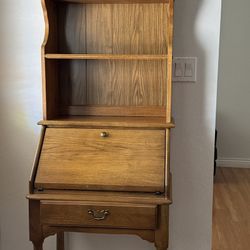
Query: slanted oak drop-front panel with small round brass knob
102, 159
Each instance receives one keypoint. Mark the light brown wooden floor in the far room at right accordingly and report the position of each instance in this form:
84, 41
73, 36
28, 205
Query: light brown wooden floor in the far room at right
231, 214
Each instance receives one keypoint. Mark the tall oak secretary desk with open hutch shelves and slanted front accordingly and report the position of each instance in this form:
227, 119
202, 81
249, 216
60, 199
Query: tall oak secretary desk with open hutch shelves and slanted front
102, 164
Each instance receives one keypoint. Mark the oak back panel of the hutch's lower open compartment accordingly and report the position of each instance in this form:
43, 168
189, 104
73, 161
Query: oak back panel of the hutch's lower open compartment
130, 84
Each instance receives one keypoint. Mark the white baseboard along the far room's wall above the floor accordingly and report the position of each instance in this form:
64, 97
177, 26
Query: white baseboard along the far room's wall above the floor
233, 162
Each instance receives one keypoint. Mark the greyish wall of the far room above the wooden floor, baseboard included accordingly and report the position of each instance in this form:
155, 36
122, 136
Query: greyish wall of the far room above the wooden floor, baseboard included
233, 112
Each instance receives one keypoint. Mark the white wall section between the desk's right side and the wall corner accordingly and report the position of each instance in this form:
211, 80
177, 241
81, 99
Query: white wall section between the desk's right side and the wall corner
193, 138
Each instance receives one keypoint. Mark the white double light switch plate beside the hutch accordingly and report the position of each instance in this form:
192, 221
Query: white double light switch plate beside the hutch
184, 69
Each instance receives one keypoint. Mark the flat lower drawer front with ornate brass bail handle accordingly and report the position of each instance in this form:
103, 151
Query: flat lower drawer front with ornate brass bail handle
99, 215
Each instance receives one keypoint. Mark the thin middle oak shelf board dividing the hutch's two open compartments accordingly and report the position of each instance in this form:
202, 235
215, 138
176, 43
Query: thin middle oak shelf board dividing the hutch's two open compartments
106, 57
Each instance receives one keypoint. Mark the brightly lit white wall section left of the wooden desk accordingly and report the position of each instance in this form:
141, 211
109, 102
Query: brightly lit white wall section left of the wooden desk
20, 102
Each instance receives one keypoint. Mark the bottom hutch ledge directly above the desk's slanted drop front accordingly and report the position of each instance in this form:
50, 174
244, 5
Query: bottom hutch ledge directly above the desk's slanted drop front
108, 121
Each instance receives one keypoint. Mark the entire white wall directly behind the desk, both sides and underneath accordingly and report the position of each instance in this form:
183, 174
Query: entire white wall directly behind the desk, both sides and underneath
197, 32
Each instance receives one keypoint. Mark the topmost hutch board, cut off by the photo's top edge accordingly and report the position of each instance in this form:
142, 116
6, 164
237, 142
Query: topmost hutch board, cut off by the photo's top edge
114, 1
